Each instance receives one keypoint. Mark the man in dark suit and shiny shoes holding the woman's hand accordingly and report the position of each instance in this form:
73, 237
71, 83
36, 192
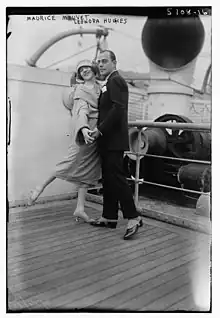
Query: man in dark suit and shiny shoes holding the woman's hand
112, 134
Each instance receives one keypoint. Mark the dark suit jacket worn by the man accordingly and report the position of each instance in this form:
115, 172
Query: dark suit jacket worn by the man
113, 115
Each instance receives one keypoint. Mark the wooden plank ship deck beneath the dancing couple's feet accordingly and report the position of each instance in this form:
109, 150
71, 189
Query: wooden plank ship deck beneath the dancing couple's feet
55, 263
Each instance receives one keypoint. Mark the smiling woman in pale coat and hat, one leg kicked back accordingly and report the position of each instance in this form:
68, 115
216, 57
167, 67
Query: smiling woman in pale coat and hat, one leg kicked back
82, 164
